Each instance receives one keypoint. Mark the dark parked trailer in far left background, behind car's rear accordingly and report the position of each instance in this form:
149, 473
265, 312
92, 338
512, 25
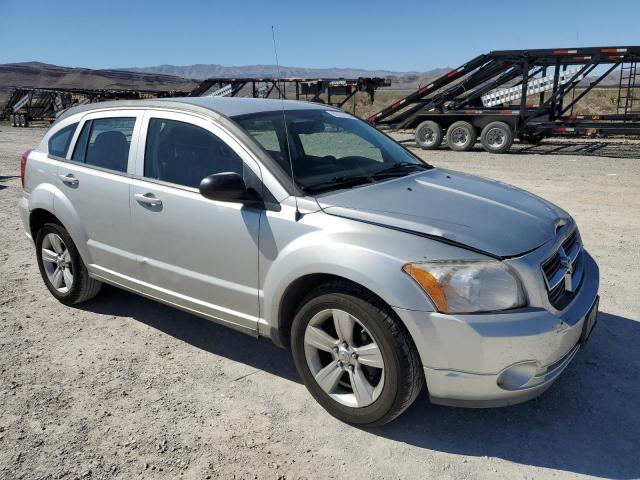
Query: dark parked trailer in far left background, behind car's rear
27, 104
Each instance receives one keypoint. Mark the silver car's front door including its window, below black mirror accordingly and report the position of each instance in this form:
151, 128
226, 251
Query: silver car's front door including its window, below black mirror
194, 252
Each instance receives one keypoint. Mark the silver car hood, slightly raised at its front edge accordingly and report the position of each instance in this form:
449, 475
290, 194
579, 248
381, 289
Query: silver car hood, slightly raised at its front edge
485, 215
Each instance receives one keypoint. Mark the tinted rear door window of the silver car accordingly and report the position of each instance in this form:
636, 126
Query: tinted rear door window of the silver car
105, 143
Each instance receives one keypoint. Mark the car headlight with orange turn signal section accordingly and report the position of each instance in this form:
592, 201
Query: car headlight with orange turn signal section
468, 286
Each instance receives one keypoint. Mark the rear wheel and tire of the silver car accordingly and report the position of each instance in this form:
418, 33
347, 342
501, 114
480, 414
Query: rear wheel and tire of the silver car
68, 262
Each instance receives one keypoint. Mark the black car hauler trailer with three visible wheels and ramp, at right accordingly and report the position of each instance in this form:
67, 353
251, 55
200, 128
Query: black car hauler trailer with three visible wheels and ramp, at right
487, 99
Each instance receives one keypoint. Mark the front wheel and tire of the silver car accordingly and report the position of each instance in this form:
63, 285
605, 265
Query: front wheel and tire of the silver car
390, 390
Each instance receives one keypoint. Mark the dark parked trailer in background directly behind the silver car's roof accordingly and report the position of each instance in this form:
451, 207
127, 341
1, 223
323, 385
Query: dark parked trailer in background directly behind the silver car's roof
304, 88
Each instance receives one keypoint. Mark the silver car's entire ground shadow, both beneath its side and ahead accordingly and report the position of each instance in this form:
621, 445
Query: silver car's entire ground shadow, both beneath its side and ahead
587, 423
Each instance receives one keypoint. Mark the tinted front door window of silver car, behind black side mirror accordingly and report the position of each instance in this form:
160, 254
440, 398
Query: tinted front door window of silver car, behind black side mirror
181, 153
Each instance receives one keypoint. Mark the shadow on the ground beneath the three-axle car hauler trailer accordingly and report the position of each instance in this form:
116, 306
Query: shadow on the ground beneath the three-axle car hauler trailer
589, 148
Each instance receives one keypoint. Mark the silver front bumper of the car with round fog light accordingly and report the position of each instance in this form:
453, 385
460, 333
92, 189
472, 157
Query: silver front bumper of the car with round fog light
487, 360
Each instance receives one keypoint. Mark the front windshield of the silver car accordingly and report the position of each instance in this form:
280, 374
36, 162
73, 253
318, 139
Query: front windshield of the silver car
330, 149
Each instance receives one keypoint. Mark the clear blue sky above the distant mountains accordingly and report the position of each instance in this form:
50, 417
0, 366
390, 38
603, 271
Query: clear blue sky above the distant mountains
390, 35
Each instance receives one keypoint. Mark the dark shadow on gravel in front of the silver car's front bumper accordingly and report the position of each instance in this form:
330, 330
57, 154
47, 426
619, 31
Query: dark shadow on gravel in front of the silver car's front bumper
588, 422
